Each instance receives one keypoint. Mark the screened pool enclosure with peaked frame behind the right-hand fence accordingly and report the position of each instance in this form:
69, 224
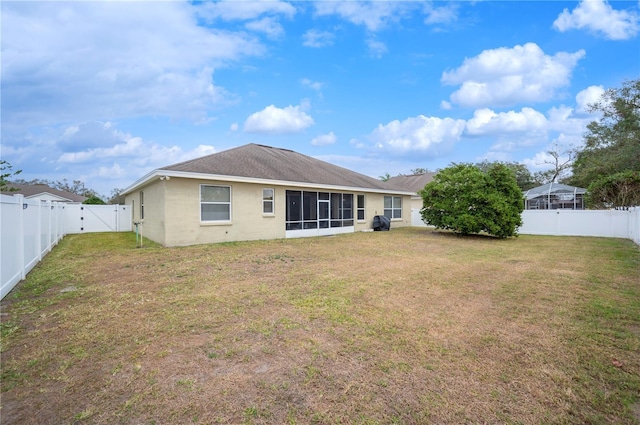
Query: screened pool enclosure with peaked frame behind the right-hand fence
554, 196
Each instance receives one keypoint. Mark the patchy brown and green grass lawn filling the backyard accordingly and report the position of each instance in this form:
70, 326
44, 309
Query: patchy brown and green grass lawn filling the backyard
409, 326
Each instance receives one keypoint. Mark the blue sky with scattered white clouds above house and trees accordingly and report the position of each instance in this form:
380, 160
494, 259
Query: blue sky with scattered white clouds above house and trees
105, 92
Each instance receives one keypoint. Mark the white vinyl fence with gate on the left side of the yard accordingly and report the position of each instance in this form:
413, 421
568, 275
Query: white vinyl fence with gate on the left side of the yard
30, 228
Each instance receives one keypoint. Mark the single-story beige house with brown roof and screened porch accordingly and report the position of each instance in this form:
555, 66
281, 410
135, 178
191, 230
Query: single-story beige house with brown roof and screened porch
259, 192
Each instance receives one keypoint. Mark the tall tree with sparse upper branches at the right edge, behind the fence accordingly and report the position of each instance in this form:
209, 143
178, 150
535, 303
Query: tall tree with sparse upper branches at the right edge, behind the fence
612, 144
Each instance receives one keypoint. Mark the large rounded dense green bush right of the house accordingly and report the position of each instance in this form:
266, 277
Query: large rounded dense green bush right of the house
465, 199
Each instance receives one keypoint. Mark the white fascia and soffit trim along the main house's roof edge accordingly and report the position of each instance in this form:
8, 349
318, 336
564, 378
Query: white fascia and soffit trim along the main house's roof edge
265, 182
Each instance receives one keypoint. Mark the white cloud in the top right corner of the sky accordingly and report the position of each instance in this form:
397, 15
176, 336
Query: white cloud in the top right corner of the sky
598, 16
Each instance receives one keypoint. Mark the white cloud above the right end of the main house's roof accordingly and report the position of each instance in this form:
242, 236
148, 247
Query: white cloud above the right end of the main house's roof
430, 135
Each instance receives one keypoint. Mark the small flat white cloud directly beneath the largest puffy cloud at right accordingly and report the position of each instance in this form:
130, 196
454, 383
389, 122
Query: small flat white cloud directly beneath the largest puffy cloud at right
487, 122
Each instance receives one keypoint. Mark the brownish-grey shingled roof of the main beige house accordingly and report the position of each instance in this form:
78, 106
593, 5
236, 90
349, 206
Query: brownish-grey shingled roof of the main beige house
265, 162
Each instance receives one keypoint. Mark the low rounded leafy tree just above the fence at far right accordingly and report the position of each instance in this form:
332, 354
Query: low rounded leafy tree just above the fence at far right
620, 190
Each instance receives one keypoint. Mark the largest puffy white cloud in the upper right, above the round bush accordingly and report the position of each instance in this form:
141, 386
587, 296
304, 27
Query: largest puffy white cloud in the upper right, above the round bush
507, 76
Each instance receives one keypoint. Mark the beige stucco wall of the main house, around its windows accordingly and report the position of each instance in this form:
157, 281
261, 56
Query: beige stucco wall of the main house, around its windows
172, 212
